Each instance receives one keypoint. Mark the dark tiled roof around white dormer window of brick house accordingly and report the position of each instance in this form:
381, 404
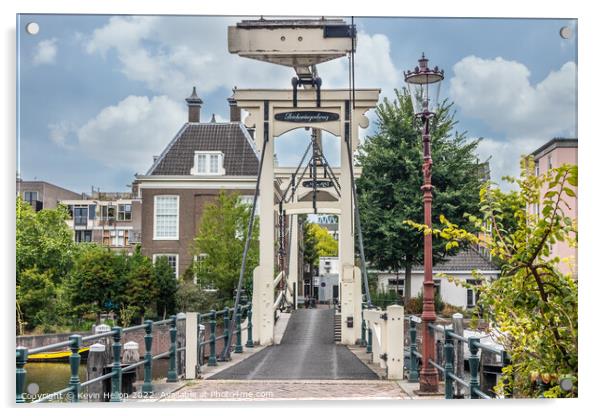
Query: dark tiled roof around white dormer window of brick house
232, 139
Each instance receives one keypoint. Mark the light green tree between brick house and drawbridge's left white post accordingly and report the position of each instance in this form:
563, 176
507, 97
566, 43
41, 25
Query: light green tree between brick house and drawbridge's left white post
220, 242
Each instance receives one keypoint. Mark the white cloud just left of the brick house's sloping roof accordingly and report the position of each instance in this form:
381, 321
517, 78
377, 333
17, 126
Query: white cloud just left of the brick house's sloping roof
129, 134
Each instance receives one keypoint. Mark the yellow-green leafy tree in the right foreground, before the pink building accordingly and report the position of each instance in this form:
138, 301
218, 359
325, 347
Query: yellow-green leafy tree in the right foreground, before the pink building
532, 306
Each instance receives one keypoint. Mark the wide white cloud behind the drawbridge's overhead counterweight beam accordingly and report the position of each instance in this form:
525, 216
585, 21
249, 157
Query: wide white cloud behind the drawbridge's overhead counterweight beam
173, 53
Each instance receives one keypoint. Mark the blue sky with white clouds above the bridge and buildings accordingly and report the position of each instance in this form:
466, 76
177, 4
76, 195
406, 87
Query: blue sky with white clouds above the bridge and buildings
99, 96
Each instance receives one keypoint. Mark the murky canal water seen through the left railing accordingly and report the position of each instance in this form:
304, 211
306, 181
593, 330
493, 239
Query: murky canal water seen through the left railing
51, 377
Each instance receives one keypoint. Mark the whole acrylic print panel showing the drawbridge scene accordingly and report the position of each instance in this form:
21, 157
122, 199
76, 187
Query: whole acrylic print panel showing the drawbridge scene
142, 141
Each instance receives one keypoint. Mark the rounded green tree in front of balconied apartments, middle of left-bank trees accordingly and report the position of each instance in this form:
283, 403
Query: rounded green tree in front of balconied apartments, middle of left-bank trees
94, 285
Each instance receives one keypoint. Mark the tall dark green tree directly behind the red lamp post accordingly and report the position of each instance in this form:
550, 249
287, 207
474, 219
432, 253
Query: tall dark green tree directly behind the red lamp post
389, 188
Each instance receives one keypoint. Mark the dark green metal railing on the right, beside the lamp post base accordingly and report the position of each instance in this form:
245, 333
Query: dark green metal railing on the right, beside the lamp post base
447, 369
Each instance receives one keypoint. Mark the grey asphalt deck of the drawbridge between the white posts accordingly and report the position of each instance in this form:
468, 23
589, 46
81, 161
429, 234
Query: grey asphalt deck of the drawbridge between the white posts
307, 352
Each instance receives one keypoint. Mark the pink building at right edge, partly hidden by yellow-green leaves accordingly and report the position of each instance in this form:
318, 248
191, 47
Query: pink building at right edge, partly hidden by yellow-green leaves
555, 153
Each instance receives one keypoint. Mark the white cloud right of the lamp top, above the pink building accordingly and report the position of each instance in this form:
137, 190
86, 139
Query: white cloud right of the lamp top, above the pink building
499, 93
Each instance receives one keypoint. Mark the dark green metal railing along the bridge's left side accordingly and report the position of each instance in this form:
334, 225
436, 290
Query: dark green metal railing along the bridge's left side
75, 342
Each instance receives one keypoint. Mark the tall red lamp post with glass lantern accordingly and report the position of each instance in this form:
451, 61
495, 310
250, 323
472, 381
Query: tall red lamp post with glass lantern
424, 84
